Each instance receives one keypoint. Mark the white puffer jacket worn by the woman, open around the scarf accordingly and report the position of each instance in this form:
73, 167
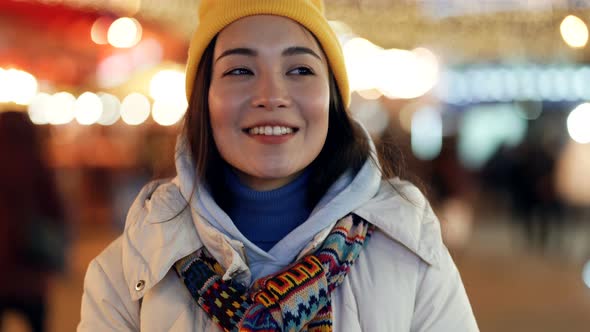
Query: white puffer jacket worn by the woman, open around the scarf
404, 279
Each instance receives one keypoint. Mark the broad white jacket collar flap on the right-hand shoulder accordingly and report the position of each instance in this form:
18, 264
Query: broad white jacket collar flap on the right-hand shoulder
401, 212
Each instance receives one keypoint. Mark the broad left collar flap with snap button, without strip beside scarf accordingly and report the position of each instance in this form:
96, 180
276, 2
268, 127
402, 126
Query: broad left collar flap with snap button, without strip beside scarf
156, 236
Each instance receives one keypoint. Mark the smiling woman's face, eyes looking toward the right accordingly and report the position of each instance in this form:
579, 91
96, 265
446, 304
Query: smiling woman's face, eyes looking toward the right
268, 99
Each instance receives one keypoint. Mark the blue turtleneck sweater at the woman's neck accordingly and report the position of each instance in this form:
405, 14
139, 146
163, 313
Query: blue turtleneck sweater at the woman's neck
265, 217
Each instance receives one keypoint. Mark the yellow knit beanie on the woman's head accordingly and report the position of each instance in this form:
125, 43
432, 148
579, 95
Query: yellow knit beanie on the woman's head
214, 15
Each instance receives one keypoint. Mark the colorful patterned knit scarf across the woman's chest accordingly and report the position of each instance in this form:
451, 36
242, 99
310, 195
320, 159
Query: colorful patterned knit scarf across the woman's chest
294, 299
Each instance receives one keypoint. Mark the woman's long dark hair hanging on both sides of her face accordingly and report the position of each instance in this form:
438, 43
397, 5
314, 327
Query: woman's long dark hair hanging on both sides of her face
346, 146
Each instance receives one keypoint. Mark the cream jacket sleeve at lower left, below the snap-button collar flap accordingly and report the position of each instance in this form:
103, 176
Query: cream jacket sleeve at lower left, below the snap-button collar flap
106, 302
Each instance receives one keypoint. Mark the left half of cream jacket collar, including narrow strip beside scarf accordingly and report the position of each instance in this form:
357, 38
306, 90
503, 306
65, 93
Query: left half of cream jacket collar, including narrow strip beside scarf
160, 230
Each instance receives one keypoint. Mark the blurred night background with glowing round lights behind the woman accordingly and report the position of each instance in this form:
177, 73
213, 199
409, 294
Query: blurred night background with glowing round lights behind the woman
485, 100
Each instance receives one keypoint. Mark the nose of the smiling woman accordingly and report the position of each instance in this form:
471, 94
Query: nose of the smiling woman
271, 92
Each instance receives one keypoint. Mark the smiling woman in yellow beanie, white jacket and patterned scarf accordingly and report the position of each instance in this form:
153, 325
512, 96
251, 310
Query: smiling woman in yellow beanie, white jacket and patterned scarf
288, 225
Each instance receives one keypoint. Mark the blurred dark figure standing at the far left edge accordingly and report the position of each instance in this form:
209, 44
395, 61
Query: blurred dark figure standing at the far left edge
31, 221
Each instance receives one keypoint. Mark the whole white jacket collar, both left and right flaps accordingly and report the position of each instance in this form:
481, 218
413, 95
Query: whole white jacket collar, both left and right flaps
162, 228
